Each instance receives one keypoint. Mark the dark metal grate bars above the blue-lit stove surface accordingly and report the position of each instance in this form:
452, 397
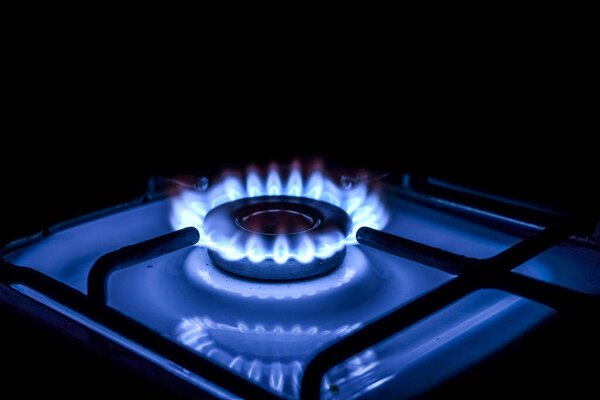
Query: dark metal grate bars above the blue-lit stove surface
471, 274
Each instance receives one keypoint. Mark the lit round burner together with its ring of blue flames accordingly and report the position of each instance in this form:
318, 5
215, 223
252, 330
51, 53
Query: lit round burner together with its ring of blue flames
282, 225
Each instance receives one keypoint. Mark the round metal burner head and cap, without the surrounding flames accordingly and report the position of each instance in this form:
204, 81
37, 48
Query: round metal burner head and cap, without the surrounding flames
278, 222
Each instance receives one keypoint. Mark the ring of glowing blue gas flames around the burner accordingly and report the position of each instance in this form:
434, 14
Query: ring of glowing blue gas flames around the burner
365, 208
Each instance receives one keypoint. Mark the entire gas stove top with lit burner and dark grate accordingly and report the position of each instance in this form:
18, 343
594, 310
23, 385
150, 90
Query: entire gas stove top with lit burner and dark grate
447, 285
